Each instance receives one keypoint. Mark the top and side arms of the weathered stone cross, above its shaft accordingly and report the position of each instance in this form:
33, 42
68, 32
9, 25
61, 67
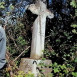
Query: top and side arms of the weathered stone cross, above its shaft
38, 9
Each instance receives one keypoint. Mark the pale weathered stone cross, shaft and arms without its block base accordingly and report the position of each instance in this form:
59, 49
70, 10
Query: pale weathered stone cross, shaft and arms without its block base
39, 25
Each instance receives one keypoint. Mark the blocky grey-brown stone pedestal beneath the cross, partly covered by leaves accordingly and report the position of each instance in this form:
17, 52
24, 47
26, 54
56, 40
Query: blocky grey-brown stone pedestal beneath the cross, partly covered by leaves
33, 66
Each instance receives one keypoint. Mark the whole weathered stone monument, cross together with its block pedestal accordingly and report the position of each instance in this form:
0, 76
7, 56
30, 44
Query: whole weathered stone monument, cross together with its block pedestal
38, 37
